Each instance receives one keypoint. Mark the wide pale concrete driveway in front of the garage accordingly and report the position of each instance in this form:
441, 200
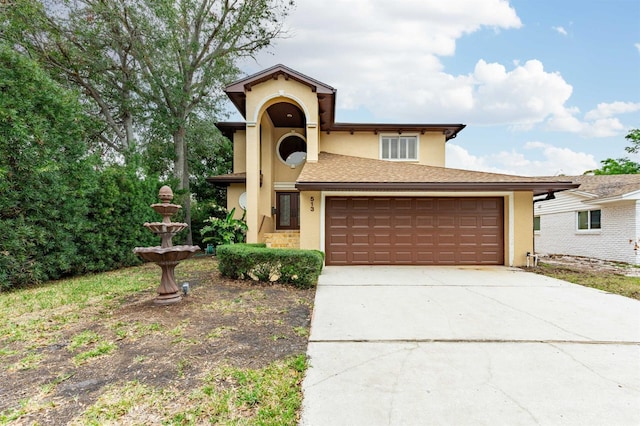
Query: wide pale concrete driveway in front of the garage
469, 346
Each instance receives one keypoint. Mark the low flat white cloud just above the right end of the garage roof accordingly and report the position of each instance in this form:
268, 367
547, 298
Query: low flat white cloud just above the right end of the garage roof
539, 159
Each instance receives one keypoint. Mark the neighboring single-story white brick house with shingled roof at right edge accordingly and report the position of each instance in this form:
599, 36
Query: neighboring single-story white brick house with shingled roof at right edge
600, 219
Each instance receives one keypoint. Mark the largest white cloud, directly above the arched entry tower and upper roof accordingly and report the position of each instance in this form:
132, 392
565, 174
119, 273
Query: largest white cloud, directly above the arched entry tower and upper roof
386, 55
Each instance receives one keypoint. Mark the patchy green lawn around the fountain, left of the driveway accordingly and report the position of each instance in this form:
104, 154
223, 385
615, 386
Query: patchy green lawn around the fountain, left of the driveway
85, 317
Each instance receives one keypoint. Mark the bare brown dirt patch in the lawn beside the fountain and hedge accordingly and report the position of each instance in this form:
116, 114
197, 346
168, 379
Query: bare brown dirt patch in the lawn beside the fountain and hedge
221, 321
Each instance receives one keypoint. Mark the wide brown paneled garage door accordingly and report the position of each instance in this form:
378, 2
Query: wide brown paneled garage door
421, 231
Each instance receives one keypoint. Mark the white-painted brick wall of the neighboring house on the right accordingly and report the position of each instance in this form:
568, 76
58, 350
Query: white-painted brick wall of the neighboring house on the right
615, 241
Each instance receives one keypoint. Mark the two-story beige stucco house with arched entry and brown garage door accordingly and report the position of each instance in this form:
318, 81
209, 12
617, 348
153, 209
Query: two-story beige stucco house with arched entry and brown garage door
366, 193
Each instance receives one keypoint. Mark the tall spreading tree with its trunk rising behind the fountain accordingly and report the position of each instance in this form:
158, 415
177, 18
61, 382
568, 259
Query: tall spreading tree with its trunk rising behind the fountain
146, 66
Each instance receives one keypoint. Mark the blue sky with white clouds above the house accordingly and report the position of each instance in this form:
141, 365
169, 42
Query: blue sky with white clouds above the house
545, 87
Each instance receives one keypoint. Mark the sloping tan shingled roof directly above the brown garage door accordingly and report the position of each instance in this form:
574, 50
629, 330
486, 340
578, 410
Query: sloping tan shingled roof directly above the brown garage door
342, 172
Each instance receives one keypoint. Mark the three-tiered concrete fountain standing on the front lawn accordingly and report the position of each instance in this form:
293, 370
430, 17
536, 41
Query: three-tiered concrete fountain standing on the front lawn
167, 256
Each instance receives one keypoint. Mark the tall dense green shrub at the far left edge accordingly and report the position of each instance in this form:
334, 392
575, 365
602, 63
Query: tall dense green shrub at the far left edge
45, 174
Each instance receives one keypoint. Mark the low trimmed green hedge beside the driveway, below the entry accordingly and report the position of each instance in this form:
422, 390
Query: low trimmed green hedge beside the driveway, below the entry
300, 268
